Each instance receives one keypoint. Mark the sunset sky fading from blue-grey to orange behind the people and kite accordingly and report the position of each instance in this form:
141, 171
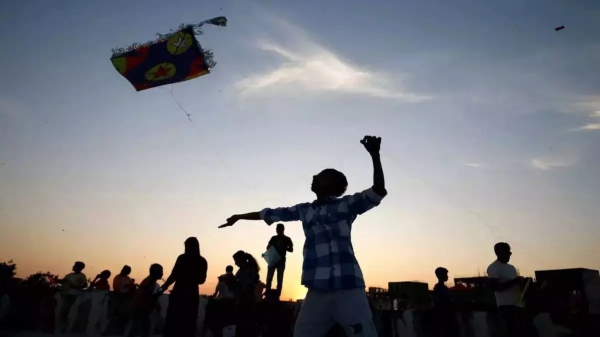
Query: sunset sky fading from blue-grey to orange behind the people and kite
490, 121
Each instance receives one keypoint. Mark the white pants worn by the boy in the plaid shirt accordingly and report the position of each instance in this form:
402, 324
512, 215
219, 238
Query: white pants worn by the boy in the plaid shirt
322, 309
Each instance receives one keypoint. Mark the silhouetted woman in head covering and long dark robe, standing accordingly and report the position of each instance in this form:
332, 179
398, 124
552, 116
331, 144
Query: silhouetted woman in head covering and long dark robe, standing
188, 273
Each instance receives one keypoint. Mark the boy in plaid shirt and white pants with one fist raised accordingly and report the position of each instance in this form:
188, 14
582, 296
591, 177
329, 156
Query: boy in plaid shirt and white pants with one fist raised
330, 271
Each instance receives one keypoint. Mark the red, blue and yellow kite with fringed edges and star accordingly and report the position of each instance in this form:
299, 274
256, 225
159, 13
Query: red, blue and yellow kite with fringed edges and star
171, 58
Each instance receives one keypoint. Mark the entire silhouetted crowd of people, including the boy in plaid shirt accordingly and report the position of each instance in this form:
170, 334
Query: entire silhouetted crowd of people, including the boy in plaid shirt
336, 303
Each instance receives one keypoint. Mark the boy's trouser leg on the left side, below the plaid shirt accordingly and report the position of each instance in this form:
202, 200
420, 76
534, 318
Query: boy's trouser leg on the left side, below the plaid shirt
314, 319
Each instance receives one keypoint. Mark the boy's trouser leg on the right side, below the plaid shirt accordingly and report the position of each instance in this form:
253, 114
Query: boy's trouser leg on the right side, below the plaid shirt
351, 310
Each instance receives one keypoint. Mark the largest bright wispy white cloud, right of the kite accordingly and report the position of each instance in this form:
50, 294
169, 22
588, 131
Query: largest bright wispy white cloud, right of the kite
311, 67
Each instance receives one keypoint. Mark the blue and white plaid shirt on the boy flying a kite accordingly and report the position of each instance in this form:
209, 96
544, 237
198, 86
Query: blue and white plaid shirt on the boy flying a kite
329, 261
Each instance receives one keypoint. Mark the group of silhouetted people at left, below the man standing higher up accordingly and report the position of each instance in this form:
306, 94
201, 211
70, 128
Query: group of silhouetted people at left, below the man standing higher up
182, 313
